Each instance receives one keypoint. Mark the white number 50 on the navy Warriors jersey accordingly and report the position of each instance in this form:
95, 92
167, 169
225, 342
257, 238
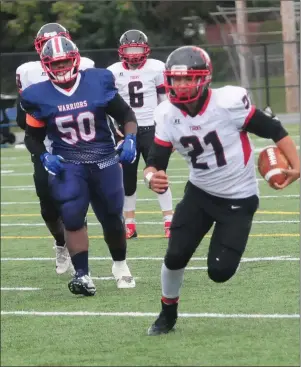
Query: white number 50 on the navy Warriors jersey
84, 129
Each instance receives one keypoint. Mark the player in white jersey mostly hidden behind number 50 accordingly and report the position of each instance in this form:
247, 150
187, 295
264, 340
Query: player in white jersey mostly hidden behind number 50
30, 73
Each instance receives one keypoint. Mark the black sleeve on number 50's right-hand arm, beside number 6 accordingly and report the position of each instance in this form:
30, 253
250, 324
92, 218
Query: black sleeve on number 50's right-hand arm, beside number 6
120, 110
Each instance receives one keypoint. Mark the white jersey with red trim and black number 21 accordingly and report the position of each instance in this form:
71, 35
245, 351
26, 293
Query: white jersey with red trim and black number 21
217, 149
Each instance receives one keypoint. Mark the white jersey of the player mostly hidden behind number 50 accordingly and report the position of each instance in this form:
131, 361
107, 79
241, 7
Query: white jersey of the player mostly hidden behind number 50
32, 72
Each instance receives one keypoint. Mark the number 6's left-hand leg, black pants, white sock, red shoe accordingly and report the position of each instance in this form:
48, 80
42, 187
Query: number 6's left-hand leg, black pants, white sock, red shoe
130, 188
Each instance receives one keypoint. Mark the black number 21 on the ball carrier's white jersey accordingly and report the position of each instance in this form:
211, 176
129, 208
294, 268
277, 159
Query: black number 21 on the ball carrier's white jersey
210, 138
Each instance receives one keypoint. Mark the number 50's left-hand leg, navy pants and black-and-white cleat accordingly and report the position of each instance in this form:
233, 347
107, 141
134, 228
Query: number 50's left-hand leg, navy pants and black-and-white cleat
71, 191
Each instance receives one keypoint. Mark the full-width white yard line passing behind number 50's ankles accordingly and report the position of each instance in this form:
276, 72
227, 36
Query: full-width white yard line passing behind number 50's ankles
143, 258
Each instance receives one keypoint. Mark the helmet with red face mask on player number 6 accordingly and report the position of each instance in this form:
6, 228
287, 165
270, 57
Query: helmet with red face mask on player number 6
134, 48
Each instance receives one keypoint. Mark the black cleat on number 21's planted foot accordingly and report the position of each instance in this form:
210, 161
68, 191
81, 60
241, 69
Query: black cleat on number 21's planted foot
166, 320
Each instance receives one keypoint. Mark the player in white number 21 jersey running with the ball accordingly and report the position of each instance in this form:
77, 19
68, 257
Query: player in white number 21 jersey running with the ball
209, 128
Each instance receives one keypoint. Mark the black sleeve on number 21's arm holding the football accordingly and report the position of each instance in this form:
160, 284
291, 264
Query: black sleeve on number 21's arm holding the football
266, 127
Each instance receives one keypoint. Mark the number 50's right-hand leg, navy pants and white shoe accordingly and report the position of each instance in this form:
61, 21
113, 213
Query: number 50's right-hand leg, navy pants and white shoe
107, 200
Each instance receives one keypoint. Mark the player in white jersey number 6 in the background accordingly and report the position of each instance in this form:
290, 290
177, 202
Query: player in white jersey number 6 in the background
140, 82
